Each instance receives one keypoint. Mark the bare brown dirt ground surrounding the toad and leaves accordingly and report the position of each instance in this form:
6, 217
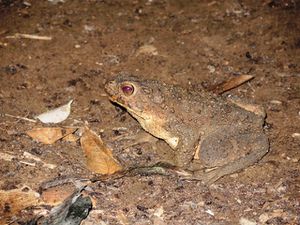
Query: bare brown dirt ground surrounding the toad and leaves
194, 44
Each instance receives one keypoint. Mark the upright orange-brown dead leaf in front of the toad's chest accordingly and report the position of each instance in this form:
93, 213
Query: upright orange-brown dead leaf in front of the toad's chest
99, 157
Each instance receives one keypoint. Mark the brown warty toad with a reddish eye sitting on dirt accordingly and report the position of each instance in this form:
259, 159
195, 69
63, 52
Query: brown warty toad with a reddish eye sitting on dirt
205, 130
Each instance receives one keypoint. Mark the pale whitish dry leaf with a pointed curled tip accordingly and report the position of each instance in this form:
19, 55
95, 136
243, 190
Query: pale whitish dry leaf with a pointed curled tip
56, 115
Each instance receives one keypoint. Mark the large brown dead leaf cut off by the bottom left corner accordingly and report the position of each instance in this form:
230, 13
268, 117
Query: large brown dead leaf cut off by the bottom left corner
13, 201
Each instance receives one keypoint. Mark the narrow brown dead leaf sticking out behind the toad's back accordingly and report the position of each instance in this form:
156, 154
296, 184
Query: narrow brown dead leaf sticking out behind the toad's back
230, 84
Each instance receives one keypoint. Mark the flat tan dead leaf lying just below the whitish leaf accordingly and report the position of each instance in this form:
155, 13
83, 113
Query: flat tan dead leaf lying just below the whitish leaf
49, 135
